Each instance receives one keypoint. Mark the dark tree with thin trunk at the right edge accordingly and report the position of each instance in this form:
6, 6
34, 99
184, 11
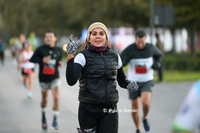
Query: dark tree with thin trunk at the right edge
187, 15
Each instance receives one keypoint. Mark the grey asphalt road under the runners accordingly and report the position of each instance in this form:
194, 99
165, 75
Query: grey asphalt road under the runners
18, 114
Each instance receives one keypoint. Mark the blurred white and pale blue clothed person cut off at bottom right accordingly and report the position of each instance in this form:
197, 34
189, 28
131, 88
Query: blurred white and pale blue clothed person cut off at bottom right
187, 120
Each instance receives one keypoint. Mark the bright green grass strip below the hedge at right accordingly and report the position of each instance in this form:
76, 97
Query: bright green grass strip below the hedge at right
175, 76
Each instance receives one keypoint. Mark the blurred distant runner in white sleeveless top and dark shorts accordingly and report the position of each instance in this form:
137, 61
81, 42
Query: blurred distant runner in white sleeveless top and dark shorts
27, 68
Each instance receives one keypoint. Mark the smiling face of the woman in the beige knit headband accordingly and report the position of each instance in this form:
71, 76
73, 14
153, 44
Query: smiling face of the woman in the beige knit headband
98, 37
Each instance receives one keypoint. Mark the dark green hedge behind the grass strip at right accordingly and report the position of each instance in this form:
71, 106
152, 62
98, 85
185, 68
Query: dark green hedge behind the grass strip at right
182, 62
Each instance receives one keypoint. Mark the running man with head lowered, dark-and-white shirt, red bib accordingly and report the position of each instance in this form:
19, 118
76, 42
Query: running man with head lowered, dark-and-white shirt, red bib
140, 56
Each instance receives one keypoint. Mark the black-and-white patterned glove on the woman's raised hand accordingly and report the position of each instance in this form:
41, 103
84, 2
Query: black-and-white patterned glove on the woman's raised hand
72, 46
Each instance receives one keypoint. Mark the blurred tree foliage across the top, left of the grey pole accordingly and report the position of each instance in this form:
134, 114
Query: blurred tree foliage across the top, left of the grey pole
66, 17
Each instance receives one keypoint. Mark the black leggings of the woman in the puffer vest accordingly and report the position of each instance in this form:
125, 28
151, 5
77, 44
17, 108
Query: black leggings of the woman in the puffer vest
104, 122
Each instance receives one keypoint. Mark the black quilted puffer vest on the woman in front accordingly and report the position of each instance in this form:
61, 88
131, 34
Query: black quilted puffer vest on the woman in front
98, 77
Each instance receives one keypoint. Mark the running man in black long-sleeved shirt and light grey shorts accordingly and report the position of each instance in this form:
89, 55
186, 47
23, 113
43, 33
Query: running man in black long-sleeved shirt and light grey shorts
49, 58
